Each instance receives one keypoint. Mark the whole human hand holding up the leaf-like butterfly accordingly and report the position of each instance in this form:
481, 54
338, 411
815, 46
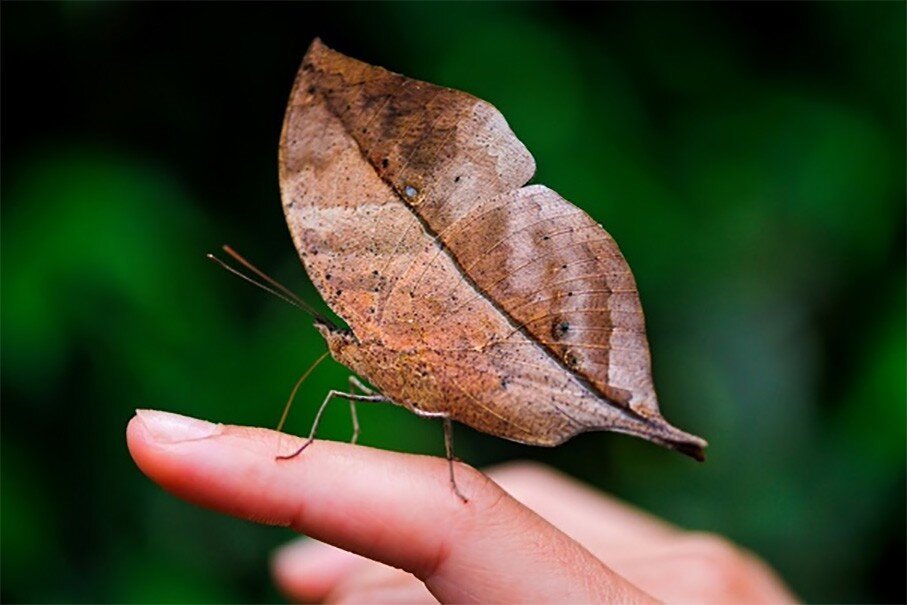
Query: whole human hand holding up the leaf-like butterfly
385, 527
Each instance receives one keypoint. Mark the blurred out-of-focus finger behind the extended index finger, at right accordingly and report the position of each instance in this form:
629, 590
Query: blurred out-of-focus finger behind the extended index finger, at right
667, 562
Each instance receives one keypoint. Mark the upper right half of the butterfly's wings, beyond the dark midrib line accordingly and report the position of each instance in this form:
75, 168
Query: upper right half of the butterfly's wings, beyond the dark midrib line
457, 165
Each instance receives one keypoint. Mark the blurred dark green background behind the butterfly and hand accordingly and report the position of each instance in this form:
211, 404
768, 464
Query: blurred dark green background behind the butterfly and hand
749, 158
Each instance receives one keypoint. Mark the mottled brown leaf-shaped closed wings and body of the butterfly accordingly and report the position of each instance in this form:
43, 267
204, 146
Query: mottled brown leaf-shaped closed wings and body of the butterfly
468, 294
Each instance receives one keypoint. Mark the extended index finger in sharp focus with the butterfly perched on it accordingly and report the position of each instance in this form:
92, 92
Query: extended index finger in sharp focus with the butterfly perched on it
393, 508
